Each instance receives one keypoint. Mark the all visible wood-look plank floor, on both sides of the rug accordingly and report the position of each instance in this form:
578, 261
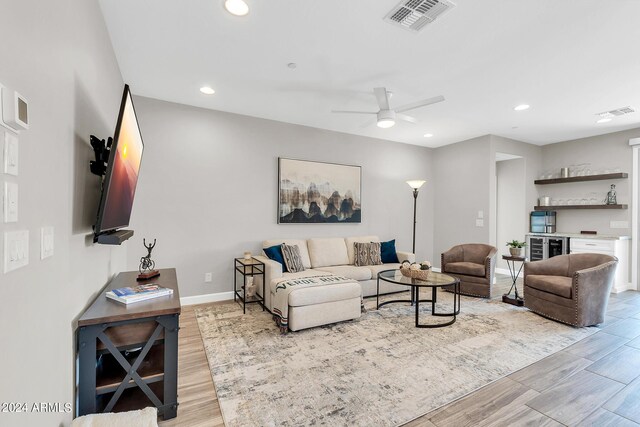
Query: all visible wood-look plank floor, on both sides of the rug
595, 382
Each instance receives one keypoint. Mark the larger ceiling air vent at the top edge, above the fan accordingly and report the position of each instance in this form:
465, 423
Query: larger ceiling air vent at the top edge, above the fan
415, 14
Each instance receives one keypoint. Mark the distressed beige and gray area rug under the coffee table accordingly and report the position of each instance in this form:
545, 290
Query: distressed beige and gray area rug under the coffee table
378, 370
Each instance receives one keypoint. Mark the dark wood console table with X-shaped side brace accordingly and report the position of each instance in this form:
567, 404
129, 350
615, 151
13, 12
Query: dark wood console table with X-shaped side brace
128, 354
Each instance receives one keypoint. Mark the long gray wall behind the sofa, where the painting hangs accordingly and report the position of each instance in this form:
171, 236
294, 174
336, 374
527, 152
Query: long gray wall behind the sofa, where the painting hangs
208, 189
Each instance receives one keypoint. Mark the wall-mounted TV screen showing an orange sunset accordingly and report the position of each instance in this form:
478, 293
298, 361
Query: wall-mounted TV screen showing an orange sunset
122, 170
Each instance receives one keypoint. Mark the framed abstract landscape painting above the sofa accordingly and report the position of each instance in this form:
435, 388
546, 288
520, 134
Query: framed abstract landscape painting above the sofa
317, 192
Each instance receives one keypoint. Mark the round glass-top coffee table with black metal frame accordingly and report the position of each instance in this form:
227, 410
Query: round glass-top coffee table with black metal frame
434, 281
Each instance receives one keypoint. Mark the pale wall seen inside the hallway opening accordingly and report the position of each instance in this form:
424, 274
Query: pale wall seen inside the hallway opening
511, 200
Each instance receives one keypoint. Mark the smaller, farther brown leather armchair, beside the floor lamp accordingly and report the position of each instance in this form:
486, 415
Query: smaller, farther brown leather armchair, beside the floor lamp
474, 264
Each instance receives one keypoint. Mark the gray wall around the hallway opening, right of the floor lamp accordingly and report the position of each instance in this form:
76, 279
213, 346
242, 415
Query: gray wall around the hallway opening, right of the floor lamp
465, 175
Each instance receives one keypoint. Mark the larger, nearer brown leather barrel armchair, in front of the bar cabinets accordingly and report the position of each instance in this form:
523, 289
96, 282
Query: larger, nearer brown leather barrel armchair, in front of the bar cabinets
571, 289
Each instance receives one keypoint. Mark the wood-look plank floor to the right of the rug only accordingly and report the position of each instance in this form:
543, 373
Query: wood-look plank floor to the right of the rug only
595, 382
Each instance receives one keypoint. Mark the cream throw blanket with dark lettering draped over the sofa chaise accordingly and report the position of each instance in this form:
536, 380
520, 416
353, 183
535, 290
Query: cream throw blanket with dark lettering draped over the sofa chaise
284, 287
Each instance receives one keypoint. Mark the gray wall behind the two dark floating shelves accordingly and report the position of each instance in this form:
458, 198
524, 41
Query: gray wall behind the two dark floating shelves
604, 151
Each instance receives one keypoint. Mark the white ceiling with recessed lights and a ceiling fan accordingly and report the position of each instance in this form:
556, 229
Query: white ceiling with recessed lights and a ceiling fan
568, 59
